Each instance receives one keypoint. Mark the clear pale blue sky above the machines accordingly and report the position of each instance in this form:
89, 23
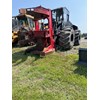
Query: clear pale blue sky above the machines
77, 9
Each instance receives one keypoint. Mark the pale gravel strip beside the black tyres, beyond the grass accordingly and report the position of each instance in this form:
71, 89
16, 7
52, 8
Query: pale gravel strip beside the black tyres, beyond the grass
74, 50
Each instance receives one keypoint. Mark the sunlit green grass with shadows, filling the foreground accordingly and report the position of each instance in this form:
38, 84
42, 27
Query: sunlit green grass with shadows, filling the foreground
54, 77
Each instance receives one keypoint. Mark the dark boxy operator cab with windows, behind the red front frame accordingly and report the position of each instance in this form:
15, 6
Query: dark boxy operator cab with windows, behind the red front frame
60, 17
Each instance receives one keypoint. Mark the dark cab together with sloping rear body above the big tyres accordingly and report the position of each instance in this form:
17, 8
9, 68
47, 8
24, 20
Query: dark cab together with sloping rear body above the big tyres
60, 19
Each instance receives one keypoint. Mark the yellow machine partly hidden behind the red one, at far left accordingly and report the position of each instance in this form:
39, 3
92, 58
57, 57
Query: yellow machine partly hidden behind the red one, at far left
20, 25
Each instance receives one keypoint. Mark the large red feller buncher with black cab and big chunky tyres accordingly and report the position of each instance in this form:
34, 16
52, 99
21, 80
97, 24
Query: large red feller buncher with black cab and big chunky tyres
51, 30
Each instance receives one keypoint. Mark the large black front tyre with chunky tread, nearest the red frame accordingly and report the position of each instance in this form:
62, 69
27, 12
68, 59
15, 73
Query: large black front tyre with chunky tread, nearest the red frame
66, 40
